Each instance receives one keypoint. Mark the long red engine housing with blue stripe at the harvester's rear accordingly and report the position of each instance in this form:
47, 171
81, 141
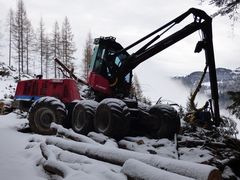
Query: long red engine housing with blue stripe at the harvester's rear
64, 89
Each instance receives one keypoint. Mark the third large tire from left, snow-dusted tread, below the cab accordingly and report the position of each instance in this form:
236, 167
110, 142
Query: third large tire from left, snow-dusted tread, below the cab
112, 118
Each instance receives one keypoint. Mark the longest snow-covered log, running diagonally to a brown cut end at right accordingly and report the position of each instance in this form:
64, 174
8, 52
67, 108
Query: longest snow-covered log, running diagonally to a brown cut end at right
119, 156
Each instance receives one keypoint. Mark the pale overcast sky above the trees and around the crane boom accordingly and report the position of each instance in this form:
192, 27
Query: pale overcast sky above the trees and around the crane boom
129, 20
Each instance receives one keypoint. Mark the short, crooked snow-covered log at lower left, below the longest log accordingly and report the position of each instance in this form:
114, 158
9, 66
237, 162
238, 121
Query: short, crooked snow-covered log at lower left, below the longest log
51, 164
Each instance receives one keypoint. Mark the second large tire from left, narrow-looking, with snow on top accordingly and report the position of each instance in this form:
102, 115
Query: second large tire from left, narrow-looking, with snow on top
83, 115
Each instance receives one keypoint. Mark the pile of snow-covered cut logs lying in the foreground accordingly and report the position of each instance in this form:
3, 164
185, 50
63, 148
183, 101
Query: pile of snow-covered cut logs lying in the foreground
134, 165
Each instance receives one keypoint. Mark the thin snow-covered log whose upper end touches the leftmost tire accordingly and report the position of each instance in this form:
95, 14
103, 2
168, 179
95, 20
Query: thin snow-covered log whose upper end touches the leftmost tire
72, 135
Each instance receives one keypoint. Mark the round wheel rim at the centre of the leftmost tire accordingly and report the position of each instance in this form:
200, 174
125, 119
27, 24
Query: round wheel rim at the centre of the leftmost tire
45, 117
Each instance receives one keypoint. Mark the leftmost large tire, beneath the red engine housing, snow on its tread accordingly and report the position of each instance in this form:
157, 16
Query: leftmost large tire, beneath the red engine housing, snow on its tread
43, 112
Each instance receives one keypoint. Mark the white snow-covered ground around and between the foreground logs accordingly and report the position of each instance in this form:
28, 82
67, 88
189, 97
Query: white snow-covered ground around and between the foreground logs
21, 156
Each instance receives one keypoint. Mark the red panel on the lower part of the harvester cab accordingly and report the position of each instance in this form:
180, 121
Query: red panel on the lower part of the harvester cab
99, 83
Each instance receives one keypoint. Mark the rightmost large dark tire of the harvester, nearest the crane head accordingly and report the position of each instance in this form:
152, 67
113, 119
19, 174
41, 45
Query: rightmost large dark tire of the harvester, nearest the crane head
167, 120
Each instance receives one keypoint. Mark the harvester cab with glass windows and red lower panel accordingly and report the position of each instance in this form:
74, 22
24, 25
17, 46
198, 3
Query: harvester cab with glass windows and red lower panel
105, 63
